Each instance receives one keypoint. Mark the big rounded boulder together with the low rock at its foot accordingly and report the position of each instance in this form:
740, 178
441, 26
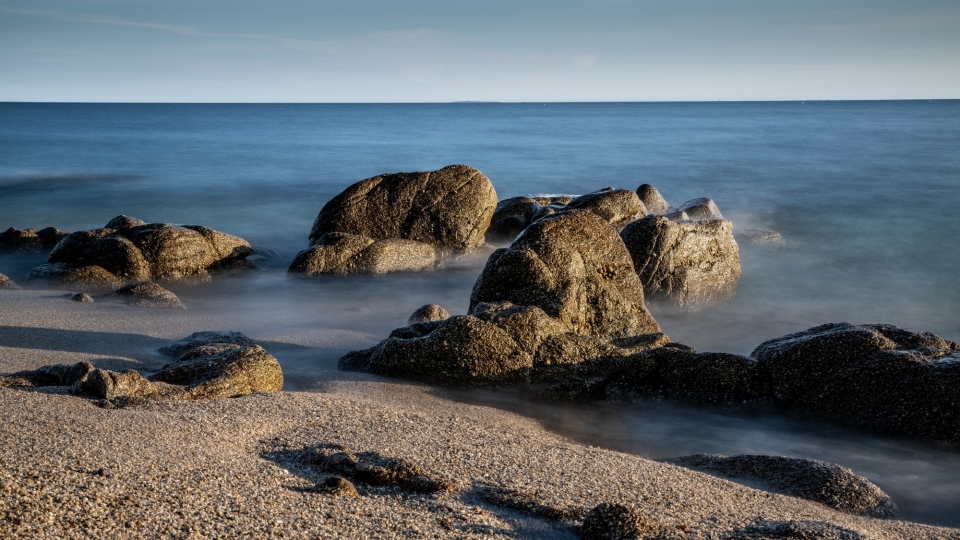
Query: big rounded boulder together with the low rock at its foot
399, 222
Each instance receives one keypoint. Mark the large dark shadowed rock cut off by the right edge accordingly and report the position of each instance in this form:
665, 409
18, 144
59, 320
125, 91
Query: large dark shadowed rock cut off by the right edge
874, 376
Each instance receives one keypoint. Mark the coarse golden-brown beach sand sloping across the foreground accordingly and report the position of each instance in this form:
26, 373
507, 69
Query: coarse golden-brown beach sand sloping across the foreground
217, 468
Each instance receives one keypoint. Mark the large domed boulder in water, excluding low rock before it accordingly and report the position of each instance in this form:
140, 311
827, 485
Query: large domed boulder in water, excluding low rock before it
449, 209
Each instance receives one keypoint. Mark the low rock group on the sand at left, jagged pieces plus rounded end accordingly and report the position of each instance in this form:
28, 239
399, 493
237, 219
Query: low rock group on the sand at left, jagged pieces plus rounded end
211, 365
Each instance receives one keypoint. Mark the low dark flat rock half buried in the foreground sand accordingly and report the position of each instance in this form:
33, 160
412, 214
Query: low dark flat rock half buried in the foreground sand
374, 469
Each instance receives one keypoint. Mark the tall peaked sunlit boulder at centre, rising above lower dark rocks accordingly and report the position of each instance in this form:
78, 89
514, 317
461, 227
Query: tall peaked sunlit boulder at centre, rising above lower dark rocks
574, 267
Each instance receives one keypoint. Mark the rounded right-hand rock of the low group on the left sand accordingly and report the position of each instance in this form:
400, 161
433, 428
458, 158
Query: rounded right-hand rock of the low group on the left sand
223, 372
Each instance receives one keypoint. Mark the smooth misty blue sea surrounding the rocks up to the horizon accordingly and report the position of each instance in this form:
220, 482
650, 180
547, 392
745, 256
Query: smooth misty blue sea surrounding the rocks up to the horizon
864, 193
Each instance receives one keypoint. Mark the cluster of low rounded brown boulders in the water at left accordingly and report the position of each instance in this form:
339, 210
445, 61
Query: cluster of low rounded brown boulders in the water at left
107, 258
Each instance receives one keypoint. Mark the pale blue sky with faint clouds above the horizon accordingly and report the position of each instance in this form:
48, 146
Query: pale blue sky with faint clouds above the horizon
491, 50
